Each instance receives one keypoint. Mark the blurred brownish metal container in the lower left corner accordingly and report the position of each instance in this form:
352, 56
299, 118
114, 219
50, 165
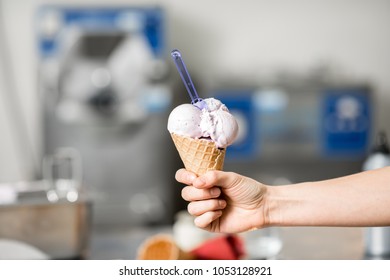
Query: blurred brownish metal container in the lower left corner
61, 229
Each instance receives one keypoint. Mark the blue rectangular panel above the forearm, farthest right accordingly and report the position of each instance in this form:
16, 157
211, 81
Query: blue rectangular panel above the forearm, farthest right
346, 121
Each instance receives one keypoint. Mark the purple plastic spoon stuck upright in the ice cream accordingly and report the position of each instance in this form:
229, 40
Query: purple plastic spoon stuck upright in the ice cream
185, 76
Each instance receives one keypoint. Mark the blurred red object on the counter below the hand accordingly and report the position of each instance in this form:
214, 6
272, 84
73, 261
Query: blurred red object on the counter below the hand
228, 247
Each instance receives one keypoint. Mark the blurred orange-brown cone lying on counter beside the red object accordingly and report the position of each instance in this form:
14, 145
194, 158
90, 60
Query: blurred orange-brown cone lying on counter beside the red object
162, 247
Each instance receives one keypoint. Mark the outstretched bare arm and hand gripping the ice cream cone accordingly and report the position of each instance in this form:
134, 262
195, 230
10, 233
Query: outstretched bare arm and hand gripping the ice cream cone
230, 203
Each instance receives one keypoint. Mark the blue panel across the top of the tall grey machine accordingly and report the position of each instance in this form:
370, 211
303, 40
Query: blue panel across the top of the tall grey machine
151, 21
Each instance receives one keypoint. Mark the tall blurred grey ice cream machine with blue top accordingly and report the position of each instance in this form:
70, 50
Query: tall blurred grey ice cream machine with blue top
103, 82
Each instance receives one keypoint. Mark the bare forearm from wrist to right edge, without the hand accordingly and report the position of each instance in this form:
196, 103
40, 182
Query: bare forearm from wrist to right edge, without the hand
361, 199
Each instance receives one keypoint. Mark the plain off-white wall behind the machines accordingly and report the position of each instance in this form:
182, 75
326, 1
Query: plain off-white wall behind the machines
239, 39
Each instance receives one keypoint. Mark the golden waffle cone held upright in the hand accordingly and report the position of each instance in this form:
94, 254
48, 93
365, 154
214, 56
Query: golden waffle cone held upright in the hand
199, 155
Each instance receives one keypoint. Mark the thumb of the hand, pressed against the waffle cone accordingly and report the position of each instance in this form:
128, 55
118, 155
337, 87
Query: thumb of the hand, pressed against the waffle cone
216, 178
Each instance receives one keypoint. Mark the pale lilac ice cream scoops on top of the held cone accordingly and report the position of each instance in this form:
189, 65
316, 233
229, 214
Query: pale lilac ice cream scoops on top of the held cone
215, 122
